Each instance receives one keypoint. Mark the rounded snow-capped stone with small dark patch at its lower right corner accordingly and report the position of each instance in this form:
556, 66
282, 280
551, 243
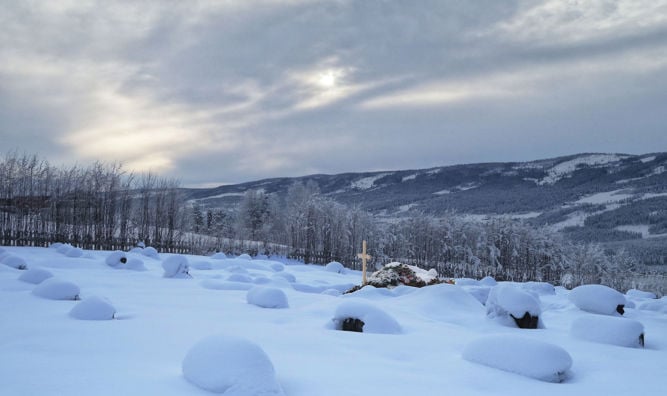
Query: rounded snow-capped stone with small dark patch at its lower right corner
598, 299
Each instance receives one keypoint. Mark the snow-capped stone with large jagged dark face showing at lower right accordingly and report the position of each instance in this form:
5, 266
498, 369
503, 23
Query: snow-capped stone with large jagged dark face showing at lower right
512, 306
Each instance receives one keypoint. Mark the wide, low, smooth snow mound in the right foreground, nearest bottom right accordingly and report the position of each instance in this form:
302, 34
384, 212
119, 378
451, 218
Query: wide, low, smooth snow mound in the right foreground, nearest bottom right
523, 356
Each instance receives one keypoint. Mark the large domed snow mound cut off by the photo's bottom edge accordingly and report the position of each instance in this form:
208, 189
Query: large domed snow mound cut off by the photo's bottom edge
232, 366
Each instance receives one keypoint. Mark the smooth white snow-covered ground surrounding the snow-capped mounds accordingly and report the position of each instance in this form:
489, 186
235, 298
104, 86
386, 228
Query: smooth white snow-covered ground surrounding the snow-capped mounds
45, 351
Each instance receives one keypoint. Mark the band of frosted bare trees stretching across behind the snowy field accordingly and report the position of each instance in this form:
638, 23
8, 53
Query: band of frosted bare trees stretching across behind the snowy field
101, 206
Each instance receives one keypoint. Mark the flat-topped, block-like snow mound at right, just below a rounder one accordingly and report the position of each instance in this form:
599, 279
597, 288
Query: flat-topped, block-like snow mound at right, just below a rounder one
609, 330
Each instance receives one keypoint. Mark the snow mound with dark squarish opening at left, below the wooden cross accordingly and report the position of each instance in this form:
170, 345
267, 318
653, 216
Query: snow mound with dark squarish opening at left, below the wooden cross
373, 319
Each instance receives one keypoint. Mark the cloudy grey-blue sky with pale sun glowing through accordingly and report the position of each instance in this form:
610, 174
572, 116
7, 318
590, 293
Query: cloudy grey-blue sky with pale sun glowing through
219, 92
